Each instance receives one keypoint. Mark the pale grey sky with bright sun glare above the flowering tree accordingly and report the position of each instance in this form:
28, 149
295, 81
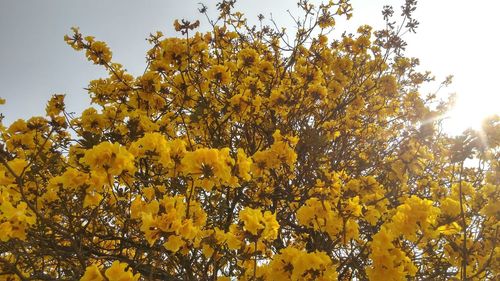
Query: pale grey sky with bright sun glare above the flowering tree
454, 37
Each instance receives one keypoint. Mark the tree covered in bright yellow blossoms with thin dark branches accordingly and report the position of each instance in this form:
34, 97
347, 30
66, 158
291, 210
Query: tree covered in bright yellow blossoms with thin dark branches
242, 154
